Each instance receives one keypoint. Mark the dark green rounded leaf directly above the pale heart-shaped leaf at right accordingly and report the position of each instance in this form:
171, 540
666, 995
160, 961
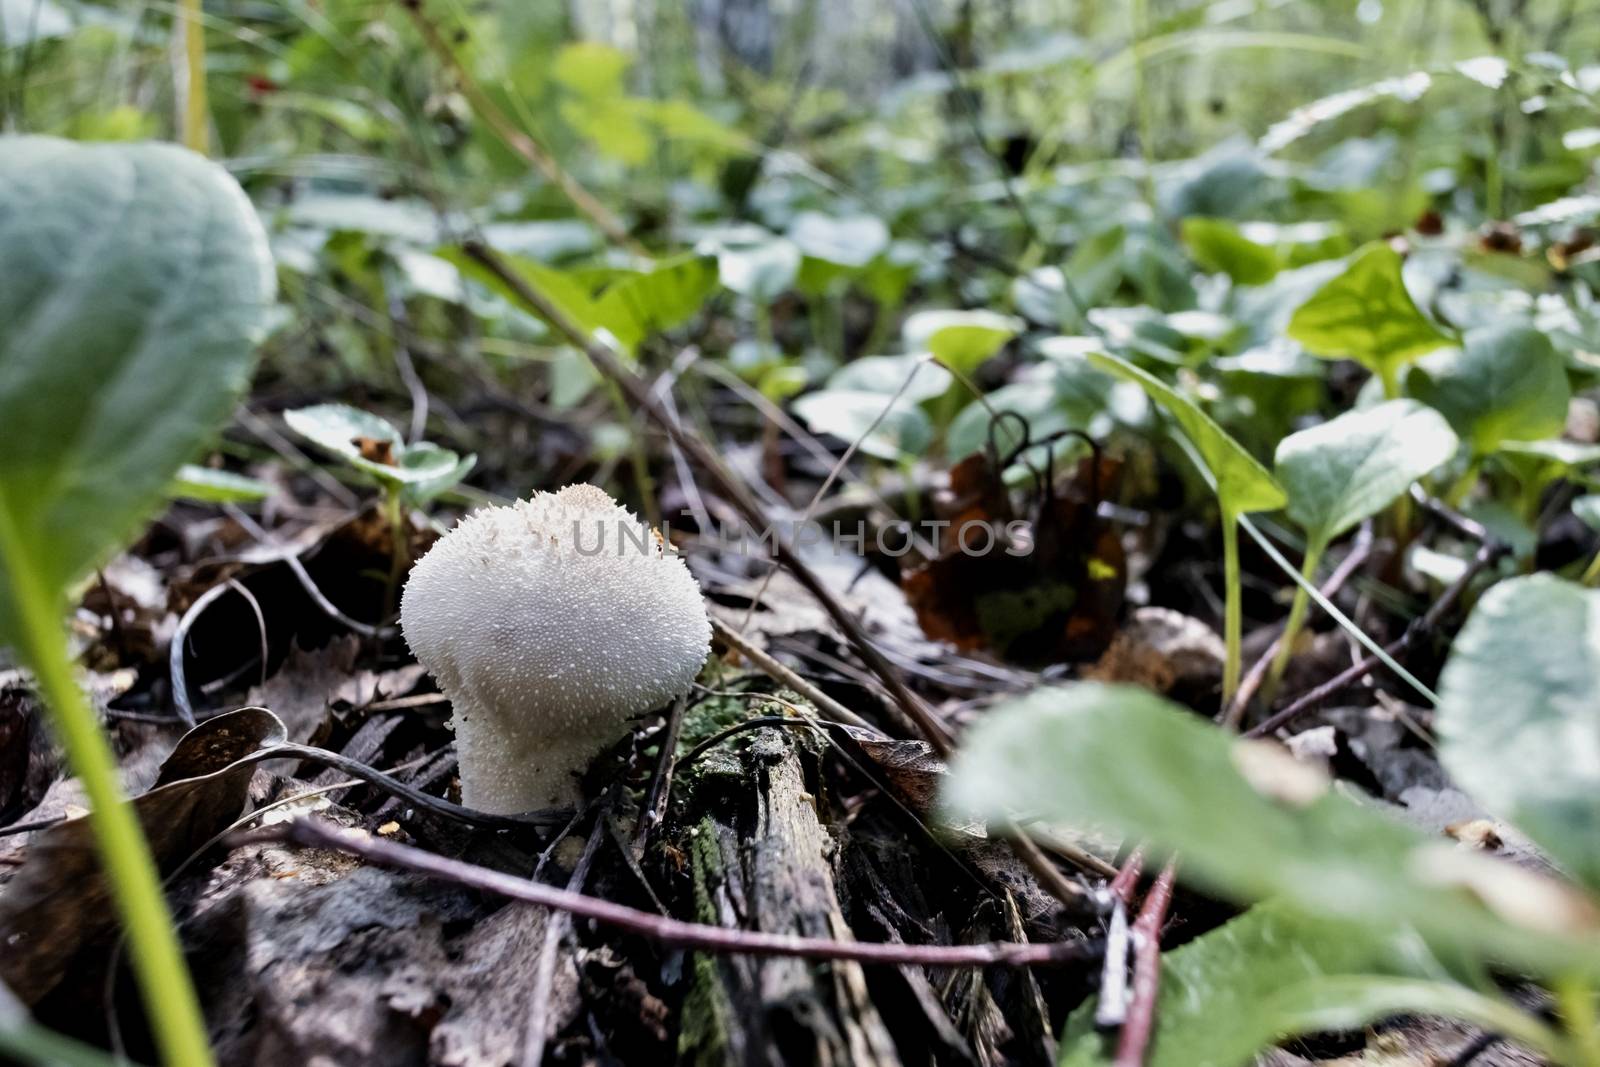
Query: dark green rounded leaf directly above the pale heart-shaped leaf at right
1506, 385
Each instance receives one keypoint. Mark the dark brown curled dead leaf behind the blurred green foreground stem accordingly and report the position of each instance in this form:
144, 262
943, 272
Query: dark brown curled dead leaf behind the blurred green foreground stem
58, 903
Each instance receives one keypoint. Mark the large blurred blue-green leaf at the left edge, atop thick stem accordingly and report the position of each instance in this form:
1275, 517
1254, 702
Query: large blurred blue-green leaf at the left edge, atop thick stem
135, 287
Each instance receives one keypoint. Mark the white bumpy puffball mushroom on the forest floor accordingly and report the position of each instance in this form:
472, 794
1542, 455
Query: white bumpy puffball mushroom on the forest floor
550, 625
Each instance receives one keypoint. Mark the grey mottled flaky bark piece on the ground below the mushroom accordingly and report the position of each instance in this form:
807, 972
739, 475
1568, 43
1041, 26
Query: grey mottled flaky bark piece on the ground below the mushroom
322, 961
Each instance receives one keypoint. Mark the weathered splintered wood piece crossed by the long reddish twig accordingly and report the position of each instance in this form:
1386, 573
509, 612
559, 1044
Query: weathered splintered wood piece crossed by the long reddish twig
762, 860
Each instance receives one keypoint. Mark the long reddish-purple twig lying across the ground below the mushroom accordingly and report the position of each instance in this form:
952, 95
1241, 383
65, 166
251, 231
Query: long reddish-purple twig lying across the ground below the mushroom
670, 932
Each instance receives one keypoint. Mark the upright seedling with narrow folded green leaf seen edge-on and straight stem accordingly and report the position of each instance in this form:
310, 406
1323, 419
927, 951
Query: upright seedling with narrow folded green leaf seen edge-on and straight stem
1241, 482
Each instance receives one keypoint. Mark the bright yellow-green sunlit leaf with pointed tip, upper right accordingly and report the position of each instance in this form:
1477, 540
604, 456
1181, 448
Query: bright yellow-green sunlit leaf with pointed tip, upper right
1367, 316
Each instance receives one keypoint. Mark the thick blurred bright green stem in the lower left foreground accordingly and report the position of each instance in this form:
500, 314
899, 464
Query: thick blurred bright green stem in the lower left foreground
130, 868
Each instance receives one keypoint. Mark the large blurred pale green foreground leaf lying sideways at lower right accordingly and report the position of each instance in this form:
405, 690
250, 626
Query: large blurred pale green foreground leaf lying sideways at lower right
1254, 825
